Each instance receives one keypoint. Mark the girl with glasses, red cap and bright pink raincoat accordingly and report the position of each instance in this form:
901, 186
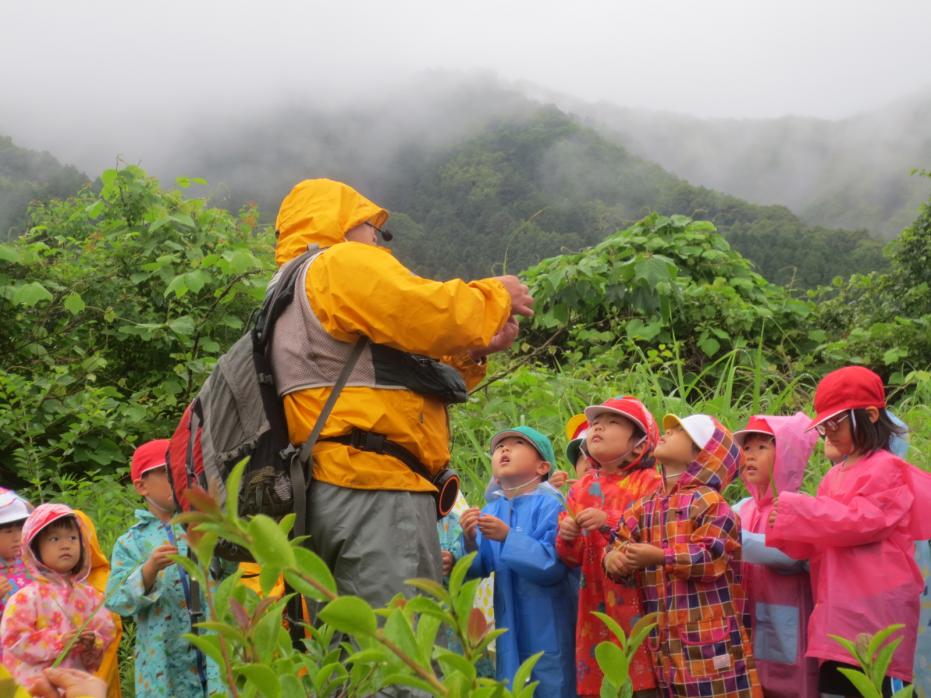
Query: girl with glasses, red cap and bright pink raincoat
859, 531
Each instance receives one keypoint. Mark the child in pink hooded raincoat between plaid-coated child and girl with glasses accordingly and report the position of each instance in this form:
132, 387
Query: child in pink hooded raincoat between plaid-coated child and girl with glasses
776, 451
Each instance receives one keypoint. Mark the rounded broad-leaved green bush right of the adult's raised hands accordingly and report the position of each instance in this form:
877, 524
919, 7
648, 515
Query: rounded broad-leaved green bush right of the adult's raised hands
664, 282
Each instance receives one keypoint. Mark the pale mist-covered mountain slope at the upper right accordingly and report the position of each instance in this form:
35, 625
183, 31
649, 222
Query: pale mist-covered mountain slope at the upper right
849, 173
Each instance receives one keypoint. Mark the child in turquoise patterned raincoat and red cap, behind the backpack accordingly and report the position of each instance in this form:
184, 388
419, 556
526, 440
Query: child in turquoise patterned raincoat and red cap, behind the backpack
146, 584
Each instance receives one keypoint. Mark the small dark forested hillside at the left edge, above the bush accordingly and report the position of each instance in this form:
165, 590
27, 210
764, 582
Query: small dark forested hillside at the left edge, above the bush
25, 176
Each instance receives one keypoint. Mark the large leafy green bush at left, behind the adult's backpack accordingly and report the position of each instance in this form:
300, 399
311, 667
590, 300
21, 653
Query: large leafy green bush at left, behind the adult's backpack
115, 307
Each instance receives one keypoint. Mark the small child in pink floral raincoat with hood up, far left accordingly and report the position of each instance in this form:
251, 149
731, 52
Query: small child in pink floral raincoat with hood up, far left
40, 619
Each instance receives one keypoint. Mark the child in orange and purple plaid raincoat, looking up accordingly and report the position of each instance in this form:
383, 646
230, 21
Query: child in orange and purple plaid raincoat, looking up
683, 545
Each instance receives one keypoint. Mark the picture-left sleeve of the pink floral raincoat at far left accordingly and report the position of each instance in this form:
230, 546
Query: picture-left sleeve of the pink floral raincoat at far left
21, 634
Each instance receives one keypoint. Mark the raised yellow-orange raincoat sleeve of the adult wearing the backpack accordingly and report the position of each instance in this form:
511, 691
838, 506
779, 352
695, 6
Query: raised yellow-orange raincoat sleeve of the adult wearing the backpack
356, 289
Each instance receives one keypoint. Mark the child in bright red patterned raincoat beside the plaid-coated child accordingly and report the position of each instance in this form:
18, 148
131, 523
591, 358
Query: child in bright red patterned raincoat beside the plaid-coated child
619, 441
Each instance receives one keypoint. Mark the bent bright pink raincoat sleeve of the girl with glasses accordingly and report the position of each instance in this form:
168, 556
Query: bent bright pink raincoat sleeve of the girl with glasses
881, 501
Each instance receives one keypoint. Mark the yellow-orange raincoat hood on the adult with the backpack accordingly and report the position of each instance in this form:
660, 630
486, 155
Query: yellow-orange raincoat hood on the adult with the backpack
320, 212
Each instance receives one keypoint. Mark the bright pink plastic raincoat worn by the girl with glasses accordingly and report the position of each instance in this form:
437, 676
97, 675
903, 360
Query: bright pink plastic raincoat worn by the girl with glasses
859, 533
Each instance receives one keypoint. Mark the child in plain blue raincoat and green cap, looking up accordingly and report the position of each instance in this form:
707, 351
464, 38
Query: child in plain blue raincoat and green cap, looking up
515, 536
